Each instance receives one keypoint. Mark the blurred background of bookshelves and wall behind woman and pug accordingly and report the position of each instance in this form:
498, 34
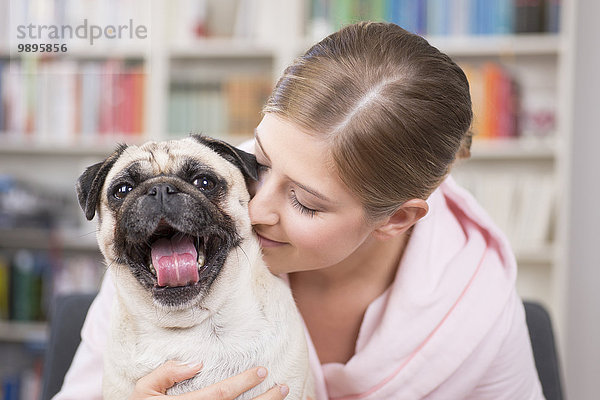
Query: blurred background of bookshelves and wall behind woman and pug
163, 69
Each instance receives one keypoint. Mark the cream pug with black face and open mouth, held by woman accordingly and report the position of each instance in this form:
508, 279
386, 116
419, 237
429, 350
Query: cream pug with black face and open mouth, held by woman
174, 228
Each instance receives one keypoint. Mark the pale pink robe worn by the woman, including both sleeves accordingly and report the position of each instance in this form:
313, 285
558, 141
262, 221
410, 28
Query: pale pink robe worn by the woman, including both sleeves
451, 326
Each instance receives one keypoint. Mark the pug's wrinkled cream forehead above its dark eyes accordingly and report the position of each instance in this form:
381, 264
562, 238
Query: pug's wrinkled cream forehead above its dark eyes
170, 158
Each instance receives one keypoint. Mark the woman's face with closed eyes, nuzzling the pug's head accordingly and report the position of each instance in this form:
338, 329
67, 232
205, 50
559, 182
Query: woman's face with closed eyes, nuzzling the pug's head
305, 217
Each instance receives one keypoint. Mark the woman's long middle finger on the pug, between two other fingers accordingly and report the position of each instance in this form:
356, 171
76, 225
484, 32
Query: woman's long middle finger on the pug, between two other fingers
229, 388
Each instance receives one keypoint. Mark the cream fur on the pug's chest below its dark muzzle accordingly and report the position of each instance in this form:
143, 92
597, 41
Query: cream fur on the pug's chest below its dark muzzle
243, 334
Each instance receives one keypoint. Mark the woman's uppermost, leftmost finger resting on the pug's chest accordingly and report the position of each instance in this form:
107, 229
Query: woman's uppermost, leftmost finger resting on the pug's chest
165, 376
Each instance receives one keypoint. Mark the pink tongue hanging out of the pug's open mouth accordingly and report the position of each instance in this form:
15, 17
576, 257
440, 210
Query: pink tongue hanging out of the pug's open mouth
175, 261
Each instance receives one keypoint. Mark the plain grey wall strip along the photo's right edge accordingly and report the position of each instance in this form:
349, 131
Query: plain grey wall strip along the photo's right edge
583, 259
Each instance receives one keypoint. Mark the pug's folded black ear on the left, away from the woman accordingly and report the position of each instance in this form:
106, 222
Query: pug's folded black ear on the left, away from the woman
91, 181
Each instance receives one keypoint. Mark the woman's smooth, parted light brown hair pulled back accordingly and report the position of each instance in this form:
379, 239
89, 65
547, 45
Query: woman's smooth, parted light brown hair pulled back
395, 111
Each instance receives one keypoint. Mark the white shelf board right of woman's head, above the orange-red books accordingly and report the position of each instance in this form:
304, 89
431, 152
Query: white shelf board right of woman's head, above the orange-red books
504, 45
